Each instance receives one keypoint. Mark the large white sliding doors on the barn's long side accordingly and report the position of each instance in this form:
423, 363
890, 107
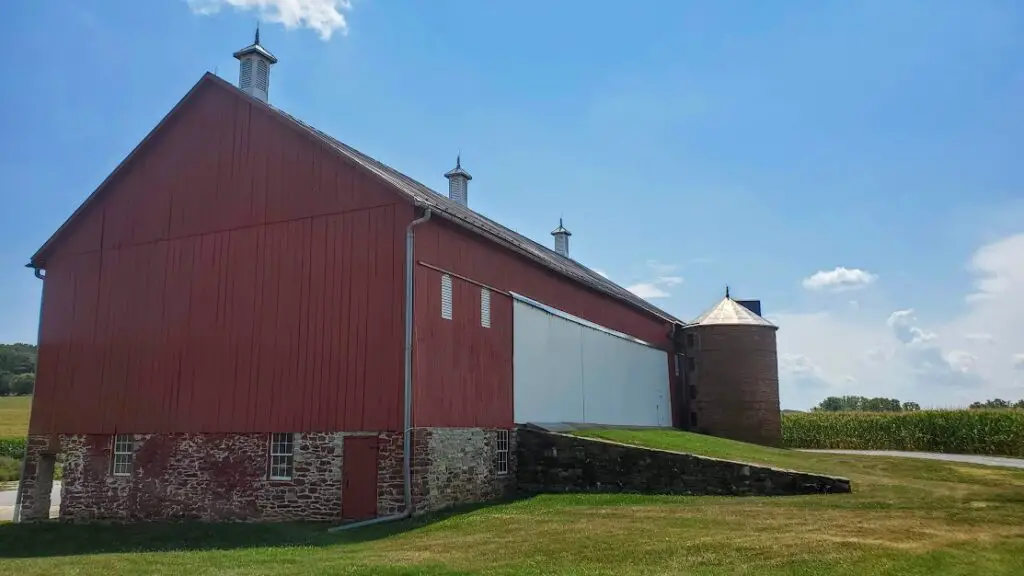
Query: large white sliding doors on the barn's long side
569, 371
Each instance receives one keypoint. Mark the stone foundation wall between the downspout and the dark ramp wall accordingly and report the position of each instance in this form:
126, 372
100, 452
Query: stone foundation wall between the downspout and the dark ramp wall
458, 467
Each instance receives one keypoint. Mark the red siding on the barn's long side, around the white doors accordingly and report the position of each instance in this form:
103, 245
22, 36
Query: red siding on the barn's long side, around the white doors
483, 385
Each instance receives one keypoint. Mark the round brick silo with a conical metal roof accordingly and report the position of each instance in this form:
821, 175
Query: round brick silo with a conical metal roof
733, 374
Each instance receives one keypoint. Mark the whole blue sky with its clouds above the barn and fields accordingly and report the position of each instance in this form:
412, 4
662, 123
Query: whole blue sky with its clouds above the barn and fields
688, 145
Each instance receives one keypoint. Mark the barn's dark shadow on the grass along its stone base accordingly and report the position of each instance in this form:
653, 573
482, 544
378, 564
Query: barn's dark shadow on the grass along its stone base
54, 539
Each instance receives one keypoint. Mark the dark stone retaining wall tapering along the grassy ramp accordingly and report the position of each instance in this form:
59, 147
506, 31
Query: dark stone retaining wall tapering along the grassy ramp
557, 463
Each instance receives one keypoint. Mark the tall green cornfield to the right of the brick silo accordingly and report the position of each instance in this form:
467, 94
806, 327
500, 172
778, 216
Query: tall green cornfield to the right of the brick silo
957, 432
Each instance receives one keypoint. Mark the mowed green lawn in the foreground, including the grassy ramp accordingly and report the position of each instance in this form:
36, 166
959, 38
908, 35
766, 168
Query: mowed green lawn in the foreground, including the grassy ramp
906, 517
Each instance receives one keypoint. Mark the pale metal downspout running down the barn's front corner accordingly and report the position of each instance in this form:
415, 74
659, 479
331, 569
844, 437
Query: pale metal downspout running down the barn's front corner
407, 446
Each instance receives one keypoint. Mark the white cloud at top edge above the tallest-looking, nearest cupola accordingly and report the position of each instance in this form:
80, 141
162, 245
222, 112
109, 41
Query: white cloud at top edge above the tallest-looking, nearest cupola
325, 17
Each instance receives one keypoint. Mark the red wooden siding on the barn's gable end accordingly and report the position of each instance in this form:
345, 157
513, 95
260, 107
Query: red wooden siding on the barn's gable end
236, 277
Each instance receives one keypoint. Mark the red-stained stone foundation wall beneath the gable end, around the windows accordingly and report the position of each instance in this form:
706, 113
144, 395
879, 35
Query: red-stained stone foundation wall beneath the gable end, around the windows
216, 478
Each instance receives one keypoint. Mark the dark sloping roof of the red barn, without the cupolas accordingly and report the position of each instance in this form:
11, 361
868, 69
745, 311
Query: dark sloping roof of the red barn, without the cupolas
424, 197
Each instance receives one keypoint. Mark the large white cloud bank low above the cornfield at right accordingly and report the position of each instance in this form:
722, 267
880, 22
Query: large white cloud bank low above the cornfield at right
965, 357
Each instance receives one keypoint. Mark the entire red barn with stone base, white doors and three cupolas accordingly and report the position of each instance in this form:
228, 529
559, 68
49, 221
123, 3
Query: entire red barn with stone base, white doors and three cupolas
249, 319
